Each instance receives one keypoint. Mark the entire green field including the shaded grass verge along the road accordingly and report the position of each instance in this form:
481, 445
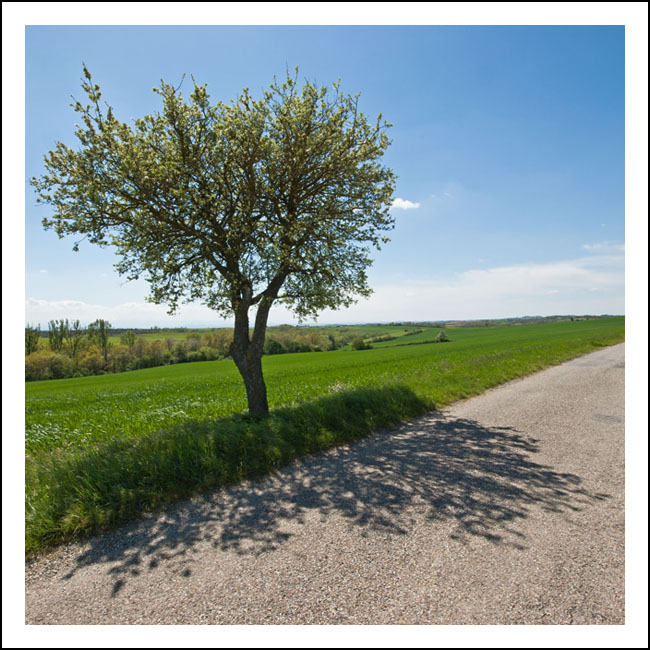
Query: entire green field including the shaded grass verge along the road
185, 422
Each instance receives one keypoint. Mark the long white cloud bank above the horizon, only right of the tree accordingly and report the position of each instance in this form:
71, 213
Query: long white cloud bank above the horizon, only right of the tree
592, 285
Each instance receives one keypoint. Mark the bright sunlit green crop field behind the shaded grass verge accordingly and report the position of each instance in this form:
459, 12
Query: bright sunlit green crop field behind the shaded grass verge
83, 410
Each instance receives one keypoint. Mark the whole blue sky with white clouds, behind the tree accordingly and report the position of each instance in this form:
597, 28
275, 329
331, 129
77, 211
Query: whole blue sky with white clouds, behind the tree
510, 140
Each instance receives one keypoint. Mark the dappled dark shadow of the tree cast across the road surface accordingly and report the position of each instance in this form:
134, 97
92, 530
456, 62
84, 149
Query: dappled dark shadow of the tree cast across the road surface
481, 480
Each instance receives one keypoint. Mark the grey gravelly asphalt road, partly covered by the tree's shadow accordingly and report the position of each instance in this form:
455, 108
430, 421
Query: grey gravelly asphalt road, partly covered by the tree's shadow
507, 508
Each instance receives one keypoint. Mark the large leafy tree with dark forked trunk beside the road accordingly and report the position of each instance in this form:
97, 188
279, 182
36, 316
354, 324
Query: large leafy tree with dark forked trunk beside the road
239, 205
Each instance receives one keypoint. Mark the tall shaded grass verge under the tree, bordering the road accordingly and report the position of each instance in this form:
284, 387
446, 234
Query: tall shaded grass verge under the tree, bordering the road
74, 495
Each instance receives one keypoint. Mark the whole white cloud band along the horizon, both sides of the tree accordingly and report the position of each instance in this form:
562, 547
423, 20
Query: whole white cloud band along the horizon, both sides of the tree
588, 285
